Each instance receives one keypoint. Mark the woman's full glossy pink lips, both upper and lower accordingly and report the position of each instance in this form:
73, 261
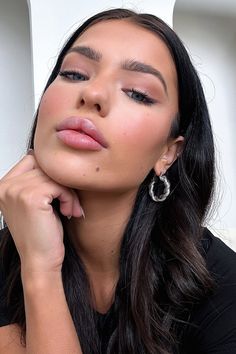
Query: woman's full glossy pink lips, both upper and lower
80, 133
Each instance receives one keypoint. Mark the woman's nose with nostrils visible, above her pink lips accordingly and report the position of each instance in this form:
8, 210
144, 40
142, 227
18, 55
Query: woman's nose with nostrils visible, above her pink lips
95, 96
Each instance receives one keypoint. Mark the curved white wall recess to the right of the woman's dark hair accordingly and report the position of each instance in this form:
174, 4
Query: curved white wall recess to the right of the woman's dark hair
210, 39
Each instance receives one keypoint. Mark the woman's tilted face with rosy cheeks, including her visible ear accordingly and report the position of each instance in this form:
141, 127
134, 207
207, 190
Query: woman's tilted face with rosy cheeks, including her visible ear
118, 81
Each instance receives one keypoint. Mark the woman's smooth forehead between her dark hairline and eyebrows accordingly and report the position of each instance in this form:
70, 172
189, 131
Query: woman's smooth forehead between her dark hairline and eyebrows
122, 39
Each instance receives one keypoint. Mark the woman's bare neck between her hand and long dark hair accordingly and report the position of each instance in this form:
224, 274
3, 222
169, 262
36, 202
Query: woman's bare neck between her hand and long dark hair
97, 239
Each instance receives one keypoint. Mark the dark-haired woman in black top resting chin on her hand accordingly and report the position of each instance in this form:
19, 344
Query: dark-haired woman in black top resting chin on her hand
104, 249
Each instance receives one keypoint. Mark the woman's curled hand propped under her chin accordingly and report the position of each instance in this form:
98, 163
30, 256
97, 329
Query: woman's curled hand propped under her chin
26, 194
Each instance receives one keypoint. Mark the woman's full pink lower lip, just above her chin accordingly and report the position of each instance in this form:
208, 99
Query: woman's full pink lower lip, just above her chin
78, 140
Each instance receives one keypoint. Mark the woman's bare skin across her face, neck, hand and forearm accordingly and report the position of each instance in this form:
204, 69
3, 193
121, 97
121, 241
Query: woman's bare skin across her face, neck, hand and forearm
103, 182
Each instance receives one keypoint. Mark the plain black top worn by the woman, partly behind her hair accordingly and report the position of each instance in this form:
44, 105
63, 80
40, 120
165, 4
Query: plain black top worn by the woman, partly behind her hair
212, 328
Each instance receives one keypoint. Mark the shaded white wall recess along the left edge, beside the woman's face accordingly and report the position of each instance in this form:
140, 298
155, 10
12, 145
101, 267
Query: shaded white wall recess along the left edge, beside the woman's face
16, 87
